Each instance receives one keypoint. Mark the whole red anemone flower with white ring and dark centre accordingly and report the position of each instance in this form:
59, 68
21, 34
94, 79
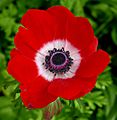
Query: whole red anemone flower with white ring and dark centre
55, 56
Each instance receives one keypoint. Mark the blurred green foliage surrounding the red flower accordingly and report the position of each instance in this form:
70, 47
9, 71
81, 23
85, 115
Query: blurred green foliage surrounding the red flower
101, 103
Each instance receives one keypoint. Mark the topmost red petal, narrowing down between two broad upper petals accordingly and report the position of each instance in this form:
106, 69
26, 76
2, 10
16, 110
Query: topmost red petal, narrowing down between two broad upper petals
61, 15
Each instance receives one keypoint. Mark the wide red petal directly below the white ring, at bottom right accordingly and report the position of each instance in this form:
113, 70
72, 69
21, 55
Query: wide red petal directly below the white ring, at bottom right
71, 88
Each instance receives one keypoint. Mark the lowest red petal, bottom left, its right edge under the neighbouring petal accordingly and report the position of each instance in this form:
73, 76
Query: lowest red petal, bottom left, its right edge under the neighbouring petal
36, 96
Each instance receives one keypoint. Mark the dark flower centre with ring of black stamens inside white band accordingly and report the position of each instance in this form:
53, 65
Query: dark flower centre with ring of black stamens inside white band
58, 61
